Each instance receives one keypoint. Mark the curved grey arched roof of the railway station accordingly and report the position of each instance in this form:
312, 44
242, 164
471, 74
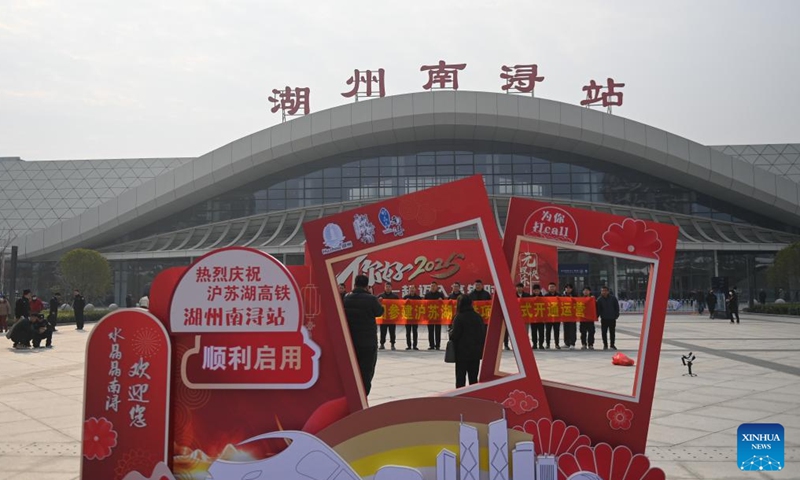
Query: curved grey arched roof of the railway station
303, 142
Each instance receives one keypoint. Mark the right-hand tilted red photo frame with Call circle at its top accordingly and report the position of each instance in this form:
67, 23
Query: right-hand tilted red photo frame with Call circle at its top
613, 418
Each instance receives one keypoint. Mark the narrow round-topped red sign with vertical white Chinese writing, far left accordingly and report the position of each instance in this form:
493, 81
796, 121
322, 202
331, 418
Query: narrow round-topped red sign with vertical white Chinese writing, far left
126, 395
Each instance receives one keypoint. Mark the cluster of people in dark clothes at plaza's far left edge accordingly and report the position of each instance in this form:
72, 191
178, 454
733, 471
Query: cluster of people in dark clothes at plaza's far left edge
30, 327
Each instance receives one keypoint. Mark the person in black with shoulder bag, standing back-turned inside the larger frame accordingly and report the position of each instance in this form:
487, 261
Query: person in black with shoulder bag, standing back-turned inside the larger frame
467, 333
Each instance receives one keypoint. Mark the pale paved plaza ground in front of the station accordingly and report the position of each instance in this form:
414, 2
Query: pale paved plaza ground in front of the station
746, 373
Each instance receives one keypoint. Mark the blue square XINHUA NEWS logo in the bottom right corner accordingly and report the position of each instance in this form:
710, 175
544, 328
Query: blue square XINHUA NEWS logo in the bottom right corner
760, 447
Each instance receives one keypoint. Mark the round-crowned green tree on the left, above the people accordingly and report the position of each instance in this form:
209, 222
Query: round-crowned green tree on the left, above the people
87, 271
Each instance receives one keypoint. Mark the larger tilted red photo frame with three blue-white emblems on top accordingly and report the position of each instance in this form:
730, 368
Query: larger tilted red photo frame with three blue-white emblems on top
405, 221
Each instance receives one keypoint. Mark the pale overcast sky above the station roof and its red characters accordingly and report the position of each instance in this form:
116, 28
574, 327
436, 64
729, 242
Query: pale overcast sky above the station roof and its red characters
98, 79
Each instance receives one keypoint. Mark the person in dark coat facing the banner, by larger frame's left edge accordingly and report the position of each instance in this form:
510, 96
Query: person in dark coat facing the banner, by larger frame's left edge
361, 308
